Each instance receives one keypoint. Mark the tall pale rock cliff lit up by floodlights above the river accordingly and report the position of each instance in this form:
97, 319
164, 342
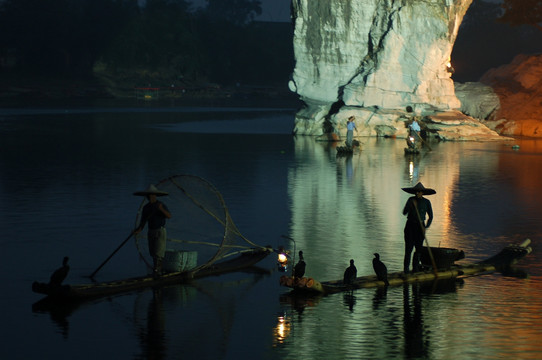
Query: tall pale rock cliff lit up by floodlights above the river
373, 58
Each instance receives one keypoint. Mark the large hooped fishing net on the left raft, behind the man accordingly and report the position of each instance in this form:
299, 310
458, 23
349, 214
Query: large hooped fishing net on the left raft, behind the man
200, 231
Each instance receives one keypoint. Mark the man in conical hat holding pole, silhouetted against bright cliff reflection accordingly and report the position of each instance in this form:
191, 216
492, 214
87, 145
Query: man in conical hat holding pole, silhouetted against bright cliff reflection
416, 209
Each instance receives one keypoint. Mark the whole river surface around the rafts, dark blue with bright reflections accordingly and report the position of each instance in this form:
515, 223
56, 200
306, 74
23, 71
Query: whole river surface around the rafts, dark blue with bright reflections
66, 181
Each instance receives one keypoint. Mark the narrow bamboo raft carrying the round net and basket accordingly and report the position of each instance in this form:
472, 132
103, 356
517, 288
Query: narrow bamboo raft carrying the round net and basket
96, 290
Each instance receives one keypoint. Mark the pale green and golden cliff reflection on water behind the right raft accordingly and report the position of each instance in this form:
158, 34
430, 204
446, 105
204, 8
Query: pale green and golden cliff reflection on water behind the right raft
356, 201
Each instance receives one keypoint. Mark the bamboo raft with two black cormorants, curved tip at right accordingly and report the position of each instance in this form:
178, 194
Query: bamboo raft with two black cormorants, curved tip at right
500, 262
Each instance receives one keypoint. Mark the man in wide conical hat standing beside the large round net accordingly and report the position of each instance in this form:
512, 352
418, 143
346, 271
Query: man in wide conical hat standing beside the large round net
155, 214
